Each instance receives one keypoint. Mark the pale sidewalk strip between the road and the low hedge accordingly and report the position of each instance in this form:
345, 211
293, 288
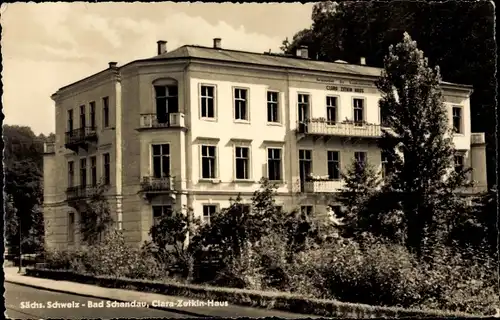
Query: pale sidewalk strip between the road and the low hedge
11, 276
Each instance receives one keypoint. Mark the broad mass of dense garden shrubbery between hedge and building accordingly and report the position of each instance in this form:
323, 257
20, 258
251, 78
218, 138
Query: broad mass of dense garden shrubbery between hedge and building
295, 253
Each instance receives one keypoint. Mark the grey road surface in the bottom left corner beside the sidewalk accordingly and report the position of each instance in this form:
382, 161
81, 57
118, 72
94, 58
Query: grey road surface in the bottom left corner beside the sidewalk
16, 297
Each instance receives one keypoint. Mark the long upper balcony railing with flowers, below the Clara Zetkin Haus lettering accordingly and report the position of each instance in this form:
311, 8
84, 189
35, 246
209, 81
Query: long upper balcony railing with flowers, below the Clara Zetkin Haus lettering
342, 129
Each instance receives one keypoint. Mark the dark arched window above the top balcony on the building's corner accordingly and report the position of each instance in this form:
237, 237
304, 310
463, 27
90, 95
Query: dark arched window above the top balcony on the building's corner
166, 99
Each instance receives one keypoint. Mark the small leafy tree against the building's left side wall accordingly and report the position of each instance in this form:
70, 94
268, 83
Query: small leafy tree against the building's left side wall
95, 218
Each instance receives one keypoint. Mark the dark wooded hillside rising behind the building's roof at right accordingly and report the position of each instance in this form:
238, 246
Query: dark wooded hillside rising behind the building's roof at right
463, 47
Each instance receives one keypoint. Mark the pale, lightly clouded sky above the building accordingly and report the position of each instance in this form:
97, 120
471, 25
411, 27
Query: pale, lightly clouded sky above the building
46, 46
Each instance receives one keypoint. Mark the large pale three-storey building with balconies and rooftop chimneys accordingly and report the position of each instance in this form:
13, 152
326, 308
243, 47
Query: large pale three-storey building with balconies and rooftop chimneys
196, 126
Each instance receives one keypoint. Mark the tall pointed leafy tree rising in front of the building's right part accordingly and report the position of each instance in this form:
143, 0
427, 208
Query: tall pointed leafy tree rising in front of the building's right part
423, 182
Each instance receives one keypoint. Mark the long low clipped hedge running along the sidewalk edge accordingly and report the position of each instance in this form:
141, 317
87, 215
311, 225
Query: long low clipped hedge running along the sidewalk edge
263, 299
